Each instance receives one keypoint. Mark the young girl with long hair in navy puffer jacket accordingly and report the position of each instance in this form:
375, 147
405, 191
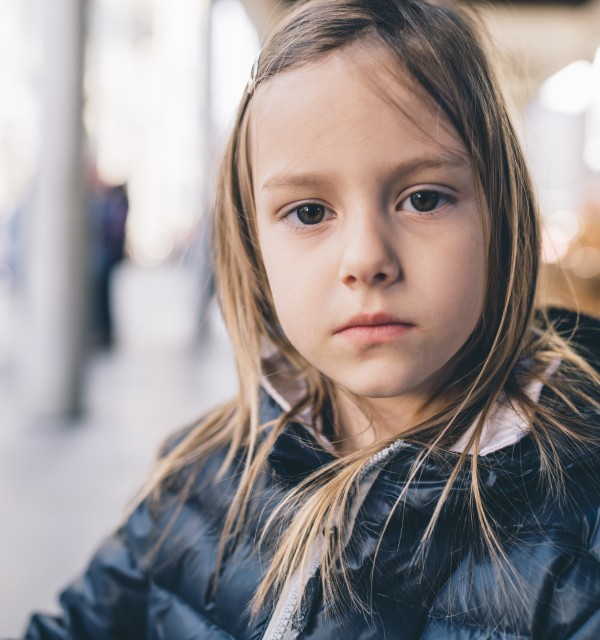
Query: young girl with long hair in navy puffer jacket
413, 452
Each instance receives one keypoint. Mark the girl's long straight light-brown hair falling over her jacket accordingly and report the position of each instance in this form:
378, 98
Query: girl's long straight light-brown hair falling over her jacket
437, 45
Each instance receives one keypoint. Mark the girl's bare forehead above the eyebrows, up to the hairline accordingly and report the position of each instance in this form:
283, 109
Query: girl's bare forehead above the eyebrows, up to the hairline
353, 100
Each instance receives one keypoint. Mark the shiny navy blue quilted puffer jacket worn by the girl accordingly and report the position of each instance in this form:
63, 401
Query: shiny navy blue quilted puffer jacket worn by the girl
138, 589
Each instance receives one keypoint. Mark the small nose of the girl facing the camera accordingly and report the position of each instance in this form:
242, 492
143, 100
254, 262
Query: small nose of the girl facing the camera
368, 254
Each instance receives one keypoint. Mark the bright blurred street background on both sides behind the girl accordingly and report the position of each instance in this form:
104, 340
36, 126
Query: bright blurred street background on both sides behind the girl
112, 115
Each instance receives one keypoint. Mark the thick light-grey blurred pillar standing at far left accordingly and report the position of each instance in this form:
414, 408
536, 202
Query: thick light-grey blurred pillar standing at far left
55, 267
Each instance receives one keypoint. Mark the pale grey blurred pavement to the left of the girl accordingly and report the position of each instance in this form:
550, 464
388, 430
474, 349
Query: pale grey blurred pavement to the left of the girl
64, 485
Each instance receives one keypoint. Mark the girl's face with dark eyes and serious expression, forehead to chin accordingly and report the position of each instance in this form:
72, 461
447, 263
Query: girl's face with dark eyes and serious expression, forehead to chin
370, 227
